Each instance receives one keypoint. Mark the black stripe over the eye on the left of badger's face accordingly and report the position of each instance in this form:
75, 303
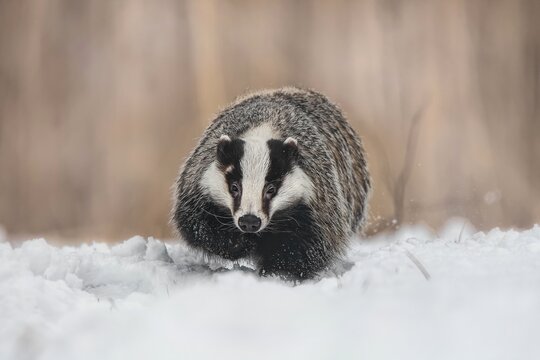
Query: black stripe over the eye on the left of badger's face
229, 153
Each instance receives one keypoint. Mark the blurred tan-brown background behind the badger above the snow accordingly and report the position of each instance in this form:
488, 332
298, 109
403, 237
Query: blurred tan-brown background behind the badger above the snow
100, 101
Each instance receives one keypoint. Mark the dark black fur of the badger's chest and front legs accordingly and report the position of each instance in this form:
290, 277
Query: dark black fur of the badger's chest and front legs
290, 246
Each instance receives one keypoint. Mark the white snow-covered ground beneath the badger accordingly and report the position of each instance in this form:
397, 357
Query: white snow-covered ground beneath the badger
411, 295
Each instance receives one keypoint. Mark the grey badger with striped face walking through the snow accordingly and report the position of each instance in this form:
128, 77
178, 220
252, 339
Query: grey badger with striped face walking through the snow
278, 177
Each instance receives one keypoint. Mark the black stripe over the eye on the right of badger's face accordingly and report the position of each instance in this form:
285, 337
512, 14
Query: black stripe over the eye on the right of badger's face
282, 159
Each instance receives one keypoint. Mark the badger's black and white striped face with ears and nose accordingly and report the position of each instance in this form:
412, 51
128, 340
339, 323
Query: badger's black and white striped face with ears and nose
255, 176
